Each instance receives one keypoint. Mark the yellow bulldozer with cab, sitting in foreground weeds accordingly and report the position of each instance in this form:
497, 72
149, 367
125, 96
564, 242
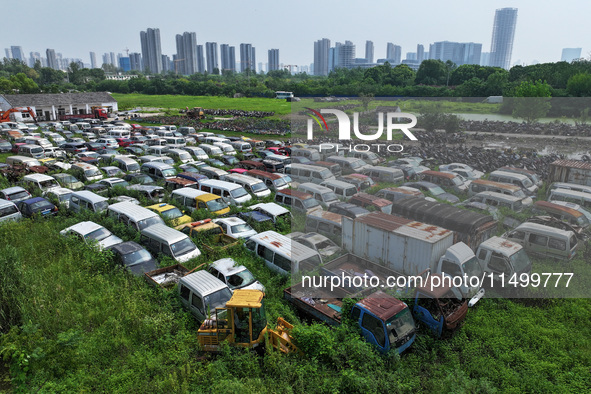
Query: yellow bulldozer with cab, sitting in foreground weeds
243, 323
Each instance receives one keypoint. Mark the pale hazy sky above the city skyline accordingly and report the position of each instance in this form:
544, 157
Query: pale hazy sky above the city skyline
74, 28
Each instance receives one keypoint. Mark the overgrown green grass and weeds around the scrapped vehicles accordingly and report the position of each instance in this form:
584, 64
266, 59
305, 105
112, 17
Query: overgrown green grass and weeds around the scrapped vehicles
72, 320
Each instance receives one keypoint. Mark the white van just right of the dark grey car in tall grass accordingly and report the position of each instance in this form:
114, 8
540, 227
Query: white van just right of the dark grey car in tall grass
160, 238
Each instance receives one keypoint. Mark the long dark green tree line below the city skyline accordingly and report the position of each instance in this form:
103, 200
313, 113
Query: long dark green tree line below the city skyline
434, 78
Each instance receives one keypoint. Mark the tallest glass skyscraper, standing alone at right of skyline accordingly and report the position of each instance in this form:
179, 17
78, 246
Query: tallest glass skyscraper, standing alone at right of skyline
501, 45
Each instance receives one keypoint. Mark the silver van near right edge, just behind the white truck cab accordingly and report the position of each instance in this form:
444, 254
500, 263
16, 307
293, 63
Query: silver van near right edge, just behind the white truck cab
544, 241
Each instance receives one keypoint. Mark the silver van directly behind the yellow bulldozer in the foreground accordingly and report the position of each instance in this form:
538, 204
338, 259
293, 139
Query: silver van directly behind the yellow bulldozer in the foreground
201, 293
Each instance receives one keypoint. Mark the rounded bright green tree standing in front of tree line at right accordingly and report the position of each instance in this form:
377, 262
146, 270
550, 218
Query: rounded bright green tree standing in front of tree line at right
531, 100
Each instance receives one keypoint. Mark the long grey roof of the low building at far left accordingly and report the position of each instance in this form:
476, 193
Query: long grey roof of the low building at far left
32, 100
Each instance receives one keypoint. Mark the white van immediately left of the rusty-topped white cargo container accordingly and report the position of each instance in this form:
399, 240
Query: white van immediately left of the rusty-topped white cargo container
281, 254
